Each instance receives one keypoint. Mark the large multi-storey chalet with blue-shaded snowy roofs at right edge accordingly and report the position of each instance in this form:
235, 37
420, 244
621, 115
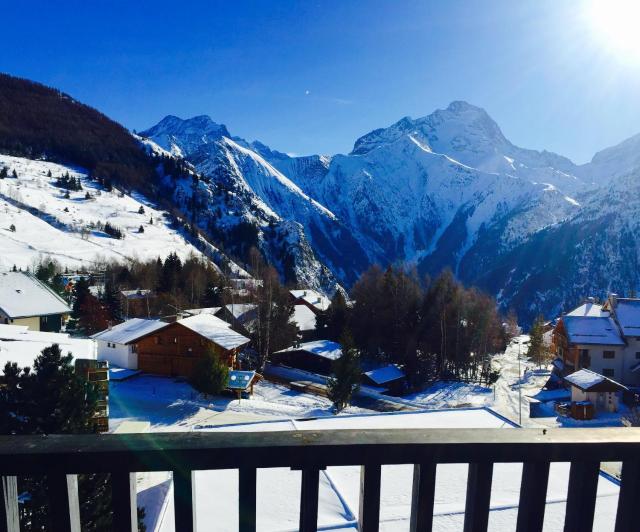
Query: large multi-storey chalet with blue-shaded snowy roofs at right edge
604, 338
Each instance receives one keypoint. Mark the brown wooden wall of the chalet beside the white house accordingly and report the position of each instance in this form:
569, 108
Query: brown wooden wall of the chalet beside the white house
174, 351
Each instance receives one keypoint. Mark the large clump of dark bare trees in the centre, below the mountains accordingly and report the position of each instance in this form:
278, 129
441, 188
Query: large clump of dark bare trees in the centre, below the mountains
435, 329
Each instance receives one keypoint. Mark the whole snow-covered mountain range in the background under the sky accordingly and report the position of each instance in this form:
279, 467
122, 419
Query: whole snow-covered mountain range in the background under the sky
445, 190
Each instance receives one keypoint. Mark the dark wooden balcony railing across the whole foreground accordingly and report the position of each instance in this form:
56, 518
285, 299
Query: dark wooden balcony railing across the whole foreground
60, 458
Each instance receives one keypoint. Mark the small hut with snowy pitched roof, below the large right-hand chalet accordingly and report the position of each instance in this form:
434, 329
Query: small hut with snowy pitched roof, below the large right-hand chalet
591, 392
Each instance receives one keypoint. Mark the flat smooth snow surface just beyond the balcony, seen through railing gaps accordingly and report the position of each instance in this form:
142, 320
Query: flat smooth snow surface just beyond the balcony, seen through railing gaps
279, 489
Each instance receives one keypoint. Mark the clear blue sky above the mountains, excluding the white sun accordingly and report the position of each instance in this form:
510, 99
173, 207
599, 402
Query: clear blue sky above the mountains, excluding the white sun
310, 77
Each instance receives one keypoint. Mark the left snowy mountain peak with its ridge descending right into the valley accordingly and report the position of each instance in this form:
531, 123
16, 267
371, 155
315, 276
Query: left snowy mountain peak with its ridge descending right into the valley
296, 232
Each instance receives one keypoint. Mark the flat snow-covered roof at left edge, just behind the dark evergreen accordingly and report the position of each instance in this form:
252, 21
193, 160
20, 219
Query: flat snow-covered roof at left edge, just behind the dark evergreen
21, 345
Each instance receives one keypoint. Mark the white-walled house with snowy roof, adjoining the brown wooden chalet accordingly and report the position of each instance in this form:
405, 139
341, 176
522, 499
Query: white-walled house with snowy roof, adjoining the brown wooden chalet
118, 345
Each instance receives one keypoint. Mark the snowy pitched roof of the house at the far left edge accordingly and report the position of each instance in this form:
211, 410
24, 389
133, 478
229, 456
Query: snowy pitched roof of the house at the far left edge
22, 295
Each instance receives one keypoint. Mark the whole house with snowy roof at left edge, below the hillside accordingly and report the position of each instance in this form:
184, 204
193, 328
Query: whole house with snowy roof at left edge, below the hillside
24, 300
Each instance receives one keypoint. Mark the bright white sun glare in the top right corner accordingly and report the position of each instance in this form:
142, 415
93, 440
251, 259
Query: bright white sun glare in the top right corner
616, 24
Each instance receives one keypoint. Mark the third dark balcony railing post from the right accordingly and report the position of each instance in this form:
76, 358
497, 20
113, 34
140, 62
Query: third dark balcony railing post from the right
533, 496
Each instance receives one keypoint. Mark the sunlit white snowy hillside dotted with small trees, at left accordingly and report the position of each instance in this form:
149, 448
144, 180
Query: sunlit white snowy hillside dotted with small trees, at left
60, 236
